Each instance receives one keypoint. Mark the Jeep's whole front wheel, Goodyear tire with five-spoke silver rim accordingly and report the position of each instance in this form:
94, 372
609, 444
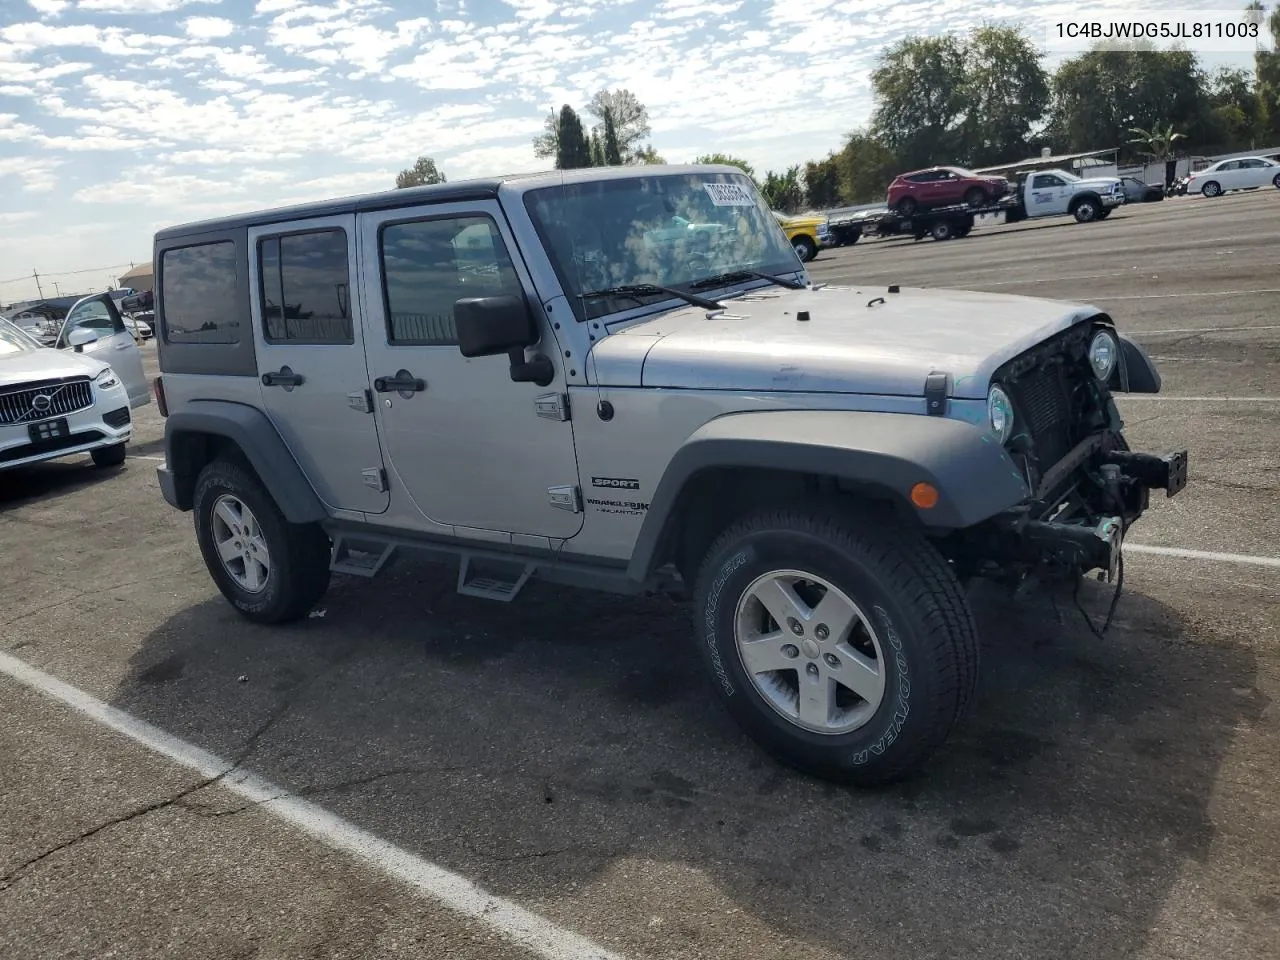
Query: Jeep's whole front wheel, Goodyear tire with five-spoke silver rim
842, 643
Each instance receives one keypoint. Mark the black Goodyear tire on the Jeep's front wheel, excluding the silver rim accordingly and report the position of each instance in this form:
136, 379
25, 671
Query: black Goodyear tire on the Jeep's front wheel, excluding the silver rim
904, 587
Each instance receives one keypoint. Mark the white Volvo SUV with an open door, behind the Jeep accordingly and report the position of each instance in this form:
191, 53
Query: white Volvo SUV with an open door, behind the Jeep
57, 403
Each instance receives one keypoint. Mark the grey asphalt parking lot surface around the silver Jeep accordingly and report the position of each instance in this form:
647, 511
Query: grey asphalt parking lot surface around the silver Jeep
1107, 798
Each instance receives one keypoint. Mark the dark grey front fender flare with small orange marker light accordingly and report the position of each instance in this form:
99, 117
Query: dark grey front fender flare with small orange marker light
975, 477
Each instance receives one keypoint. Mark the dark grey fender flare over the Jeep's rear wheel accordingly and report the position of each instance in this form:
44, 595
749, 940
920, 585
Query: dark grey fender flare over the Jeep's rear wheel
258, 440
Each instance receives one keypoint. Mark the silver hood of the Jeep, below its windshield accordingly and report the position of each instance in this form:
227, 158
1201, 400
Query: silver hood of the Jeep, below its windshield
858, 340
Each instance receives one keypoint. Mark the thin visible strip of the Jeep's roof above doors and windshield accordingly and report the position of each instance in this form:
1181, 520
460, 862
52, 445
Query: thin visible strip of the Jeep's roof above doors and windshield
460, 191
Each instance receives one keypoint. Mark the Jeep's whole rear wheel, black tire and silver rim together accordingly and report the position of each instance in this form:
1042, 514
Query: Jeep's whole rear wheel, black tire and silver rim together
271, 570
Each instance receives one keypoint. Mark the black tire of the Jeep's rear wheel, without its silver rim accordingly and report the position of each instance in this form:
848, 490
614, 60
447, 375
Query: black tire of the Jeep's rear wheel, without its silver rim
299, 552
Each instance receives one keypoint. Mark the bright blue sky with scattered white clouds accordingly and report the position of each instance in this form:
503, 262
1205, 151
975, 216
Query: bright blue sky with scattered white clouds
118, 117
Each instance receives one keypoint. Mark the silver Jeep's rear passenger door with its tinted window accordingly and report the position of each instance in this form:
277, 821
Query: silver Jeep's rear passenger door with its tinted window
310, 346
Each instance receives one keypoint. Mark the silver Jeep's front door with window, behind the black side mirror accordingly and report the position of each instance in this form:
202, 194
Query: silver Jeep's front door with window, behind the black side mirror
469, 447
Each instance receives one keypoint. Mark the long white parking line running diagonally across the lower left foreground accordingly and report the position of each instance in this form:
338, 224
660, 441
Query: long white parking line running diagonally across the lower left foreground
452, 890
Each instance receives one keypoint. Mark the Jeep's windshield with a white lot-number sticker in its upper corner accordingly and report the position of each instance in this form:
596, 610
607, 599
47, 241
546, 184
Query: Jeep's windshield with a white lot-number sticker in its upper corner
662, 231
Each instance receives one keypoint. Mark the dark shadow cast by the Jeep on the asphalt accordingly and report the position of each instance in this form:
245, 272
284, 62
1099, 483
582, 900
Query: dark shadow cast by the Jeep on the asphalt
533, 746
